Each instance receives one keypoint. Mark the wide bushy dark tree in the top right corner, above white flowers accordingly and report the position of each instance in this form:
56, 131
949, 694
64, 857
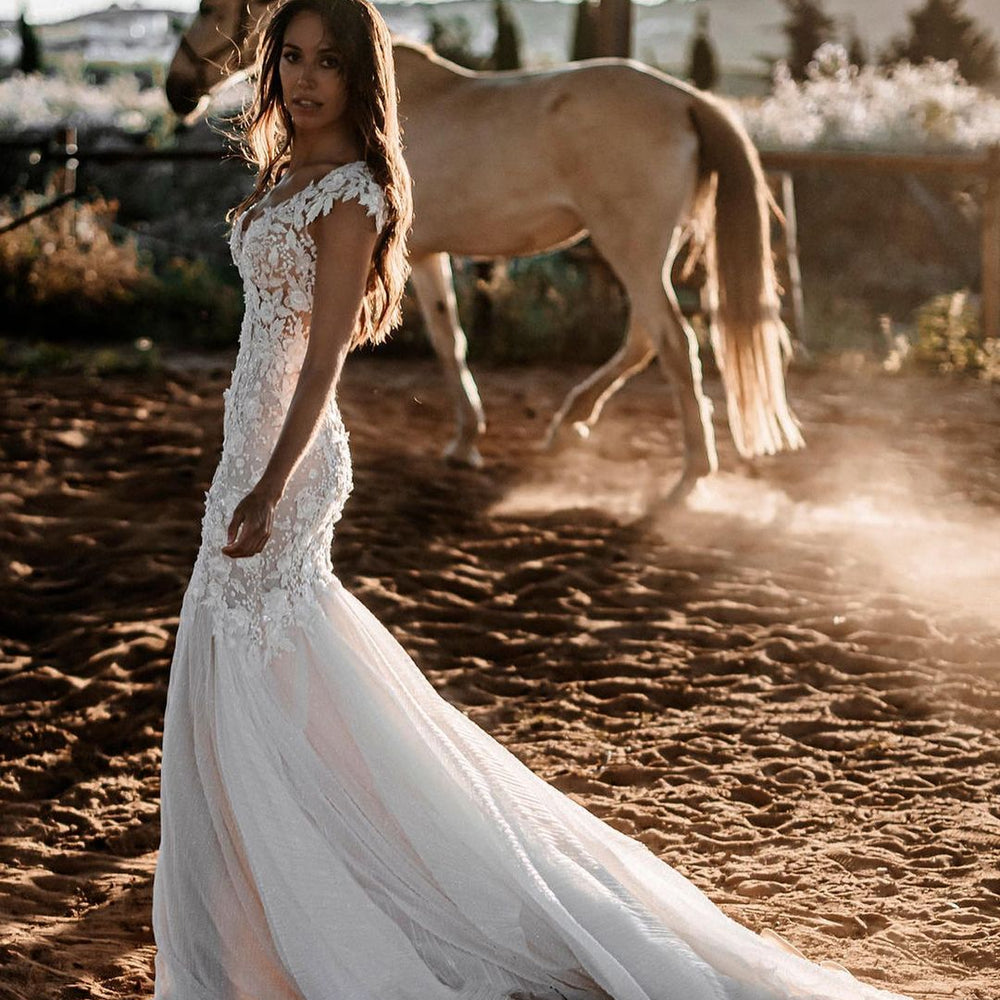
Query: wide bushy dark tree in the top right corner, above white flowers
941, 30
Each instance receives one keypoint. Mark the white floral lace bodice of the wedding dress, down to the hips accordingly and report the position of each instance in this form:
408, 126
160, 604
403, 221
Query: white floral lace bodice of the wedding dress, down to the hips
258, 598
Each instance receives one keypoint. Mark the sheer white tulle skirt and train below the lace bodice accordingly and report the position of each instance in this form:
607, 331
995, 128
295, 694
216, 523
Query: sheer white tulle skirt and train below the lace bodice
335, 829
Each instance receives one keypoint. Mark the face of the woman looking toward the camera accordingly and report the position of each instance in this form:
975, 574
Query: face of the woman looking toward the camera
313, 86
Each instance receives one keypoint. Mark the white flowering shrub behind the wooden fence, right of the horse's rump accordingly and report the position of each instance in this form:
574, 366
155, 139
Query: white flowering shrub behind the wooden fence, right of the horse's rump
903, 108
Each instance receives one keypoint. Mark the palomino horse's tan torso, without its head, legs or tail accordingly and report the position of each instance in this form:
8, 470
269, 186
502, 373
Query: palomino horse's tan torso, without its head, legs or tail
517, 162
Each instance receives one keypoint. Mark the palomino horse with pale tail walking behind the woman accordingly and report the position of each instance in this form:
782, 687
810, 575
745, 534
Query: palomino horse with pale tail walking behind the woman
515, 163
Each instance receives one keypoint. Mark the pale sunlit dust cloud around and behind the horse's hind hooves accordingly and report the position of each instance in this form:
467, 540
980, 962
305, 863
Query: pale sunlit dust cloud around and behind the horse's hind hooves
891, 510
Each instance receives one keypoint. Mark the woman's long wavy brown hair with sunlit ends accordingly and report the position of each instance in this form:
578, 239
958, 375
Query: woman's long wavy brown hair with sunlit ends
266, 133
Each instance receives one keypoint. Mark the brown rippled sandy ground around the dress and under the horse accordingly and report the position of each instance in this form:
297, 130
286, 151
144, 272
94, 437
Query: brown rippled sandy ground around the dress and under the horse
789, 690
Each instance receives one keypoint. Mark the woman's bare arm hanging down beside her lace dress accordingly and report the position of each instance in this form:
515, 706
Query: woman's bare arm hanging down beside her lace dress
345, 240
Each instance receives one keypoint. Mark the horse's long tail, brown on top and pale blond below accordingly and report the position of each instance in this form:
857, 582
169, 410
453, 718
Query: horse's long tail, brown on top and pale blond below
731, 229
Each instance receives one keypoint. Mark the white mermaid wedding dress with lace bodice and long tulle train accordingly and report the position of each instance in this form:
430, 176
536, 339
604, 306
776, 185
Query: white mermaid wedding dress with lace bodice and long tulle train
332, 829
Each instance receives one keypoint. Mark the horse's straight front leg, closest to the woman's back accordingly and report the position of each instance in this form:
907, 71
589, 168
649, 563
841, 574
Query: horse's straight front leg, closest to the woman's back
432, 281
